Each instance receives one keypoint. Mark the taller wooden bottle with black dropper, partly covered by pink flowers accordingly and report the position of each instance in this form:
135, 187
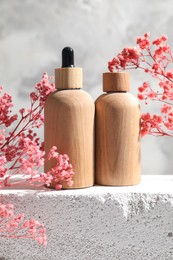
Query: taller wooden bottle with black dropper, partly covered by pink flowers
69, 122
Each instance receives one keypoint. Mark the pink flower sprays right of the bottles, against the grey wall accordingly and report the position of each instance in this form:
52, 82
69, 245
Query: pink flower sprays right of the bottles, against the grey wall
155, 58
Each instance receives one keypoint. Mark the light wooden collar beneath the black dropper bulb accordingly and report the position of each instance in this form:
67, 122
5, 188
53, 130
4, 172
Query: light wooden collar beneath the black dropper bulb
68, 78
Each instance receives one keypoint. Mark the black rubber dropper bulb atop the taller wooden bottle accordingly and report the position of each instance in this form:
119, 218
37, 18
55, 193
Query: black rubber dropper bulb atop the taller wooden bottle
67, 57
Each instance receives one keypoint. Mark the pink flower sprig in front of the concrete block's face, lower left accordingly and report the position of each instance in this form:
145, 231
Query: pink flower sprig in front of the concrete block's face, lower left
18, 227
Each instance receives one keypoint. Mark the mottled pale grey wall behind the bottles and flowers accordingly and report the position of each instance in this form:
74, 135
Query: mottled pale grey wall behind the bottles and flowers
32, 34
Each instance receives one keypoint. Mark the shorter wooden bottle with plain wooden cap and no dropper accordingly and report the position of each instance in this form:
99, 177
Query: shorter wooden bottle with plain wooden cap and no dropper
118, 161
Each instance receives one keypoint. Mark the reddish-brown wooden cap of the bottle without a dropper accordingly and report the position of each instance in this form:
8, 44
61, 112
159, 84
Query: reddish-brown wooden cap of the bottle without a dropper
116, 81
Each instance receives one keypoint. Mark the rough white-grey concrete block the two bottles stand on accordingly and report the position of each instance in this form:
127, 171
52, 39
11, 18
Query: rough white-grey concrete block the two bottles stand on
98, 223
